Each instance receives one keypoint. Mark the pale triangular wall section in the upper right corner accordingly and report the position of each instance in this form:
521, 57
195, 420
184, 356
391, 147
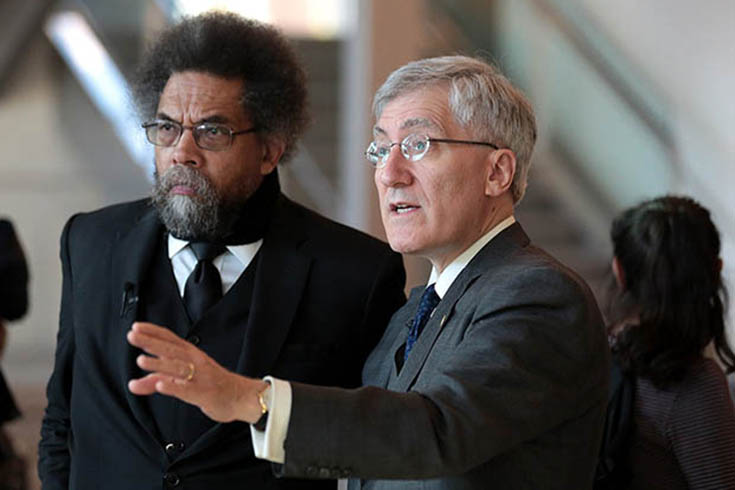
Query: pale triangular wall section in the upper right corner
687, 48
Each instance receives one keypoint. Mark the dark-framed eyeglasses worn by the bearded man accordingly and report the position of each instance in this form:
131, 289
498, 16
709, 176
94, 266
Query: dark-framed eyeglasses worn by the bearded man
207, 136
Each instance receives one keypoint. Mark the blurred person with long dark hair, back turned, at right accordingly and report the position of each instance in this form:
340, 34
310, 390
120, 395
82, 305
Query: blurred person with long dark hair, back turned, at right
669, 307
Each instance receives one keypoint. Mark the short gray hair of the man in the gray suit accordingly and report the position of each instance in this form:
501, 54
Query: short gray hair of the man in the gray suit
481, 99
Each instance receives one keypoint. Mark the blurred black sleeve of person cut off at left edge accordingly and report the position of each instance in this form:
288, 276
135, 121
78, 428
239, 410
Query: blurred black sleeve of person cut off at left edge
13, 275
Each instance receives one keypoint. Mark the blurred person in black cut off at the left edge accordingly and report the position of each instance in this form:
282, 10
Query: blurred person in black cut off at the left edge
13, 305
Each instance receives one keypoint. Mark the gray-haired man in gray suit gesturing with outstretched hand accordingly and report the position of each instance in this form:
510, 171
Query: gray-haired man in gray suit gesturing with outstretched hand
492, 376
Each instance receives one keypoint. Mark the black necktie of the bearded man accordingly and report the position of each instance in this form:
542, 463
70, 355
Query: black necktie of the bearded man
204, 286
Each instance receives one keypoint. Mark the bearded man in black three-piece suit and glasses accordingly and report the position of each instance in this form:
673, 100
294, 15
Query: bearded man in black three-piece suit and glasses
220, 257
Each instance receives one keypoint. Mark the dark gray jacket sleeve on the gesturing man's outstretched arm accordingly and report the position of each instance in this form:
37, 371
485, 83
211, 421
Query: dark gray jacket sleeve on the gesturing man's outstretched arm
518, 367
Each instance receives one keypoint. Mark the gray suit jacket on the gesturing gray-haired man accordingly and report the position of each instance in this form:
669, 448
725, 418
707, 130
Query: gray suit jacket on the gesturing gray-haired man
505, 388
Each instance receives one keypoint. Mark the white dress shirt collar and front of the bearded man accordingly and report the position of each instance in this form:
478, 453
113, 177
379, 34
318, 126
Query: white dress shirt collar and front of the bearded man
230, 264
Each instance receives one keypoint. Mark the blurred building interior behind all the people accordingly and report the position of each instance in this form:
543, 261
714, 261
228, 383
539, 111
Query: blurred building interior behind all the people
633, 99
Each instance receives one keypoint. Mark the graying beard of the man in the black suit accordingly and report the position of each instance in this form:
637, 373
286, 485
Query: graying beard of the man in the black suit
198, 217
